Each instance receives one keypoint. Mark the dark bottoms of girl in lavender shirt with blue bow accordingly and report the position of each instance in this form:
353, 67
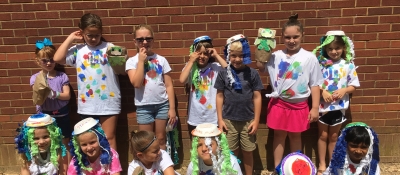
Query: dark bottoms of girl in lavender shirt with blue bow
62, 120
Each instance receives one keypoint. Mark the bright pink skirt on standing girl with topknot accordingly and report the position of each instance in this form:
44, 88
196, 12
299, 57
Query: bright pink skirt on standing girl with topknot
291, 117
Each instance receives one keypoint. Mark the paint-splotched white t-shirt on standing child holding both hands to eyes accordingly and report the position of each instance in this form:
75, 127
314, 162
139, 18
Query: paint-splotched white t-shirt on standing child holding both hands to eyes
202, 103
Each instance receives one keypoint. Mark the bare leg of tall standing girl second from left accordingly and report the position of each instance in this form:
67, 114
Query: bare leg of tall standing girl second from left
109, 125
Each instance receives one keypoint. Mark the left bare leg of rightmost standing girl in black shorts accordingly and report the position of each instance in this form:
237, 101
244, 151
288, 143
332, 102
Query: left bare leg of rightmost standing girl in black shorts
322, 142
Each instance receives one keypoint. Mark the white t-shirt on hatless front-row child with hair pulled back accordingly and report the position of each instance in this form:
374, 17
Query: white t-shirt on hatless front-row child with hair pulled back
161, 165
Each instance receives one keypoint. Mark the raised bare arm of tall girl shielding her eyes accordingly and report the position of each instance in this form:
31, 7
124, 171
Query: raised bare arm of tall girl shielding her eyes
59, 56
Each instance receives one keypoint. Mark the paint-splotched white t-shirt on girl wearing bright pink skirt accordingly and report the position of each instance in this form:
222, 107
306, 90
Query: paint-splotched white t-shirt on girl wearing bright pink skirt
292, 76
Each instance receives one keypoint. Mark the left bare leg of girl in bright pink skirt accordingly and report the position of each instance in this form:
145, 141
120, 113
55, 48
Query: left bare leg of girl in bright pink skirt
279, 145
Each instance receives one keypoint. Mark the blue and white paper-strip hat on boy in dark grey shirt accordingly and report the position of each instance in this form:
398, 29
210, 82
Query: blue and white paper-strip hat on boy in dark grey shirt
234, 80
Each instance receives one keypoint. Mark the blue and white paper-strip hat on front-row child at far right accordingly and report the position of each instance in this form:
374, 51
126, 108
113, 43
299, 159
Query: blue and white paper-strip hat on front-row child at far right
368, 164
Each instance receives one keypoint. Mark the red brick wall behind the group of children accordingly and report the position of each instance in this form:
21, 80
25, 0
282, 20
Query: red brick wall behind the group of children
372, 24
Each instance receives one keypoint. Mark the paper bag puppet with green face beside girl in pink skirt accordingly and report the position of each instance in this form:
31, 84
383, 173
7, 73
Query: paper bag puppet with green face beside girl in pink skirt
265, 42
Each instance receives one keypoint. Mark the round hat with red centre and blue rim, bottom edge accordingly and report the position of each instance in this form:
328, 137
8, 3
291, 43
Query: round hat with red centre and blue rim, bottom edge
296, 164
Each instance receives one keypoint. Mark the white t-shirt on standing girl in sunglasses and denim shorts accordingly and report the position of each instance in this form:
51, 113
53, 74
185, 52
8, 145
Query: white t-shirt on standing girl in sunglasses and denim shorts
153, 90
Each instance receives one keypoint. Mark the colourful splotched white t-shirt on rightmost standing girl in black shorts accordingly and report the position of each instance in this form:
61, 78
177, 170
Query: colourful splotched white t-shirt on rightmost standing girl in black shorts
339, 75
